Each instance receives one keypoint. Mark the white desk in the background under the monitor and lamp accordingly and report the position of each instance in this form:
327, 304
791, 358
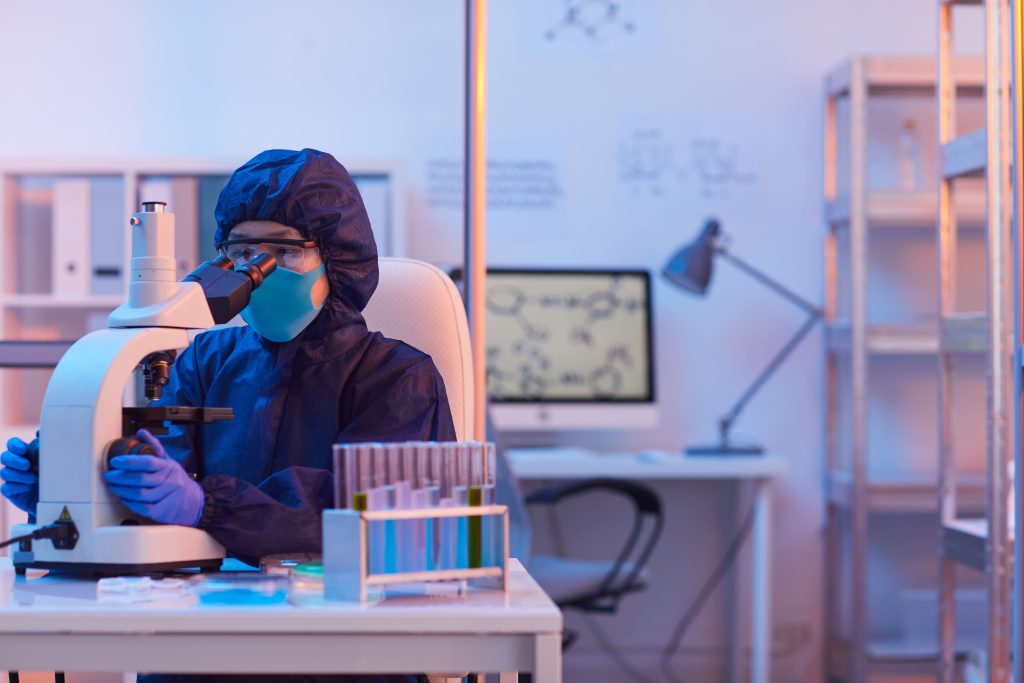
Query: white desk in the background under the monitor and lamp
553, 464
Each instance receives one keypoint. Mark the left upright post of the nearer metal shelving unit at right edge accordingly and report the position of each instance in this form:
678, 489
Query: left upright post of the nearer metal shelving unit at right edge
946, 94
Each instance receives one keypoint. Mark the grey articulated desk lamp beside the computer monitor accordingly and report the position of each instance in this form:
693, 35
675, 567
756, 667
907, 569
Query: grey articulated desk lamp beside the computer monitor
691, 270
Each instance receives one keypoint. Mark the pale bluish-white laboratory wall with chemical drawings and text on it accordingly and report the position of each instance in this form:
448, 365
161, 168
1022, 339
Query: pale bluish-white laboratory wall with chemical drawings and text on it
611, 142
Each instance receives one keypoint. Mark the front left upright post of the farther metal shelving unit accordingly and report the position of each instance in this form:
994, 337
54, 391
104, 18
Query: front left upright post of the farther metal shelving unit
859, 360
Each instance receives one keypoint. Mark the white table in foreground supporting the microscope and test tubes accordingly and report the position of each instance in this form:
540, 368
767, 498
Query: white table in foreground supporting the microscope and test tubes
57, 623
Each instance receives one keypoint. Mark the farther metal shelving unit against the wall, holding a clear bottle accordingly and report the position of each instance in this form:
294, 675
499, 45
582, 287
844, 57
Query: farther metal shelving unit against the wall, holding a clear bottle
851, 495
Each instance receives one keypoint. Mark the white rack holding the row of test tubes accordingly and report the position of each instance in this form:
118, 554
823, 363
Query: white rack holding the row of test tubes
348, 541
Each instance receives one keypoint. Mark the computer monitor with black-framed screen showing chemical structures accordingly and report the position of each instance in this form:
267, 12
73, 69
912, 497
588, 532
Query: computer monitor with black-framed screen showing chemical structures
570, 350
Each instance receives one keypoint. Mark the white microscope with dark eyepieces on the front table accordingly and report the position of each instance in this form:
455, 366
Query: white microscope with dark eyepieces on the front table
80, 526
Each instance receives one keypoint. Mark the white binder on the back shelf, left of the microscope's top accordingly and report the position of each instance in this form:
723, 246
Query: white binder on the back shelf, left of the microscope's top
71, 266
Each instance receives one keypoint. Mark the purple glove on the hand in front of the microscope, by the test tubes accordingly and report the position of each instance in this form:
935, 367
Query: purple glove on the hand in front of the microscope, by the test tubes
156, 487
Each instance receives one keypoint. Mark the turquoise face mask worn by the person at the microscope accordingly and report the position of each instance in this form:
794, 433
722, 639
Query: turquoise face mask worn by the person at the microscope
283, 307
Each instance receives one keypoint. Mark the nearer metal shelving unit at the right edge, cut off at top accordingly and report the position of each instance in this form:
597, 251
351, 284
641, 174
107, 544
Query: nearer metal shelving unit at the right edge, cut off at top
982, 544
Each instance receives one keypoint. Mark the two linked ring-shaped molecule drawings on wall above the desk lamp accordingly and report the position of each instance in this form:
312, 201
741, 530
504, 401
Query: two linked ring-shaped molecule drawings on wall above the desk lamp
650, 165
